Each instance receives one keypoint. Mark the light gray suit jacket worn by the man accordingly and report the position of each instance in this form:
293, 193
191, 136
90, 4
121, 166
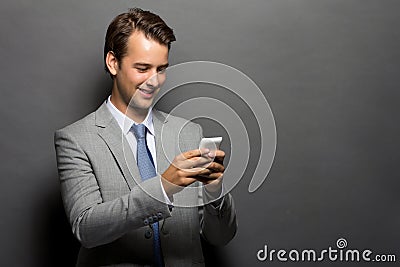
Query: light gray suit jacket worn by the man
109, 207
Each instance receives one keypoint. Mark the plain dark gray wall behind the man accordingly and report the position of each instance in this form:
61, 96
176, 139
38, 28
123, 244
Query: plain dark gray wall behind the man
329, 69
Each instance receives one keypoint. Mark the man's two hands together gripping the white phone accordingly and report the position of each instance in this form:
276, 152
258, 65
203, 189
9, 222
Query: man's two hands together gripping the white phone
194, 165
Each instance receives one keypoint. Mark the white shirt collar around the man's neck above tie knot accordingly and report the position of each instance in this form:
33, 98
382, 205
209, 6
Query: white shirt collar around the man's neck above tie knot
125, 122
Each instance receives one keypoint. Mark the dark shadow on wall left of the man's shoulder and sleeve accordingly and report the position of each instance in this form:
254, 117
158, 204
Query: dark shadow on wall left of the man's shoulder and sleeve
53, 242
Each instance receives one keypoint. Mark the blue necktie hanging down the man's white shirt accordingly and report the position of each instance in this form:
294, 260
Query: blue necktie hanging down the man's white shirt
147, 171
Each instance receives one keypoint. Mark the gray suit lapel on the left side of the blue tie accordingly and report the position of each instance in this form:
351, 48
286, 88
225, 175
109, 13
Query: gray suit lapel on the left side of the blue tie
110, 132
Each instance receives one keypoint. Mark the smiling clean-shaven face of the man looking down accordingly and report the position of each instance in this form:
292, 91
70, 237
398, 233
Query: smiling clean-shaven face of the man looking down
139, 74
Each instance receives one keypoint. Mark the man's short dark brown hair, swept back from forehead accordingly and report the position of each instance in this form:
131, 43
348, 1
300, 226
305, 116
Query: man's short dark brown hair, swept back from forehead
121, 28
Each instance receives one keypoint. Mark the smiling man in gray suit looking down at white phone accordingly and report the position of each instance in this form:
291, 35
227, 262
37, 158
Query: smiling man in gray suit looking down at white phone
125, 200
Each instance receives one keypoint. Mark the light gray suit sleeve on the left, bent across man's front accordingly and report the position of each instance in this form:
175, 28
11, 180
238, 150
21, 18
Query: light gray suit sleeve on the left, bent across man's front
93, 221
